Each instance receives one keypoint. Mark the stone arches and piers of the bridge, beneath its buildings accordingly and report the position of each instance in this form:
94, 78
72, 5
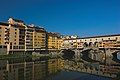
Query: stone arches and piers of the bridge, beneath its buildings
94, 54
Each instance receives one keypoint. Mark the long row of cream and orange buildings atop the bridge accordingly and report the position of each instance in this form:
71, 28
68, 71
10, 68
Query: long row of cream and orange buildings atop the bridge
105, 41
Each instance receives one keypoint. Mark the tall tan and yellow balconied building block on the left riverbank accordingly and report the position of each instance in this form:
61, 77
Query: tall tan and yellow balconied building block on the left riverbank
17, 37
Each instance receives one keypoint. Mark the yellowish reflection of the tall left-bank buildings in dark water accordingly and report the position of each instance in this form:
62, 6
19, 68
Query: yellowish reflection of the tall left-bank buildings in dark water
29, 70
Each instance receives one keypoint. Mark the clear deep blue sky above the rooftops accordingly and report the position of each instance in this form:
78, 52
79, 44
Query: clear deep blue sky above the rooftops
68, 17
